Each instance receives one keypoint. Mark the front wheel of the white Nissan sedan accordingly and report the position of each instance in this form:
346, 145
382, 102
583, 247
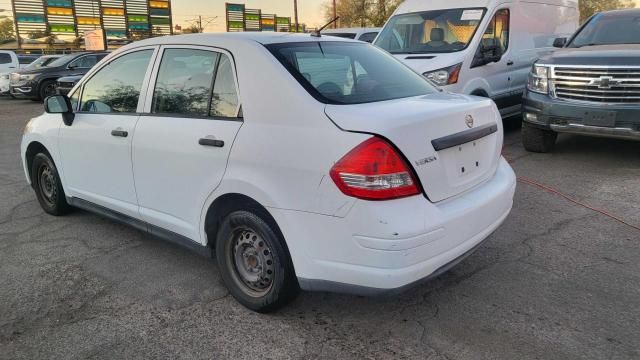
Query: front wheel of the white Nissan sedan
47, 185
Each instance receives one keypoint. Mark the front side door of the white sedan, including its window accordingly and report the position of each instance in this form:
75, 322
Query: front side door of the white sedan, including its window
96, 149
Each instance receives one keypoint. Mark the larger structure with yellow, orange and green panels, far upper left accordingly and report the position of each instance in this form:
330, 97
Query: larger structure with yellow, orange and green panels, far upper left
61, 22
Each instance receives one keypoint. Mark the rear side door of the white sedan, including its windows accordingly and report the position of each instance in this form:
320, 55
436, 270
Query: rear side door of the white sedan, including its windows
183, 140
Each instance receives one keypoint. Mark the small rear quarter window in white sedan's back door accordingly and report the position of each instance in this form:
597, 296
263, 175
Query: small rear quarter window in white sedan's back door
224, 102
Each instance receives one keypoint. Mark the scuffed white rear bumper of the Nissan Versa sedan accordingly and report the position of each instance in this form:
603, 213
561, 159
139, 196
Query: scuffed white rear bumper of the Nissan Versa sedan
386, 247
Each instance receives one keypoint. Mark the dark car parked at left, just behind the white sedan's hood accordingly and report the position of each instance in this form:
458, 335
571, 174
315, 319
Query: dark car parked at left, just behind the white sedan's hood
37, 84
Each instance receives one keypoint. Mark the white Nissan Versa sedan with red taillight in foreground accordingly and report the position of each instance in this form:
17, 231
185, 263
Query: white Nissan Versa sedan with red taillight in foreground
300, 162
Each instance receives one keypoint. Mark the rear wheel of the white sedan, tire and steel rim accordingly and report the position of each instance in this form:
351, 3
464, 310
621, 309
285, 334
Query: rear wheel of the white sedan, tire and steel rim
254, 261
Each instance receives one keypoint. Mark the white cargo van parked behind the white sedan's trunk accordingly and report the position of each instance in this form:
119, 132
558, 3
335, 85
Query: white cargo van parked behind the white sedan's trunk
478, 47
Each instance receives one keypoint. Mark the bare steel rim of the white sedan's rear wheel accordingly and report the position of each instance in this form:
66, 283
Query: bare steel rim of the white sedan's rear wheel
252, 262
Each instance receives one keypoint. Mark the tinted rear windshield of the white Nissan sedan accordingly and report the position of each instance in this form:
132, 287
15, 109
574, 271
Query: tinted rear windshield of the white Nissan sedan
349, 73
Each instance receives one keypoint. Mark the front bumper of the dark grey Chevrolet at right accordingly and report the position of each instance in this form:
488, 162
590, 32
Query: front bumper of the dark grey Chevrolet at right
569, 116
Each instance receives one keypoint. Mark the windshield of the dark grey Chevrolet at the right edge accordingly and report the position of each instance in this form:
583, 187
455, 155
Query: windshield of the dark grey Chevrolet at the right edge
609, 29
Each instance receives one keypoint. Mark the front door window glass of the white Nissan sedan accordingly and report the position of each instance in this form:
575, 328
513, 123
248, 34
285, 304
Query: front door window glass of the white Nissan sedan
116, 87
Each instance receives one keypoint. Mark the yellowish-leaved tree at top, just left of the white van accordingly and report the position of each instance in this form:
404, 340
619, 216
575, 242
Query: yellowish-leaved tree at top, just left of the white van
361, 13
